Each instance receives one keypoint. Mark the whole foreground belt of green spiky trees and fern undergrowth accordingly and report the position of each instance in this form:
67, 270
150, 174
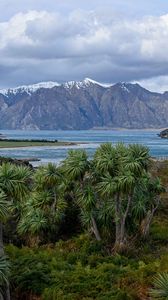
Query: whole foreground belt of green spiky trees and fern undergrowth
87, 229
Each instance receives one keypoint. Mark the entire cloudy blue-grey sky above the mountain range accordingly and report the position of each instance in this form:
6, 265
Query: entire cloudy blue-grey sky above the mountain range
106, 40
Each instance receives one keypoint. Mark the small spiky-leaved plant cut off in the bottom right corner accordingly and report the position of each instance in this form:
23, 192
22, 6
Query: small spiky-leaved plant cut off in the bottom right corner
160, 290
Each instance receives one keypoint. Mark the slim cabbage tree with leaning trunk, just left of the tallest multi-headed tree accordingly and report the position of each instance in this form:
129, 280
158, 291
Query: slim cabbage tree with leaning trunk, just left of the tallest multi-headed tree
77, 168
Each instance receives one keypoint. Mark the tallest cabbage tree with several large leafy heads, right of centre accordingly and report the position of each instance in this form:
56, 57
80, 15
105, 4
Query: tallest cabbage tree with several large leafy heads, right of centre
121, 167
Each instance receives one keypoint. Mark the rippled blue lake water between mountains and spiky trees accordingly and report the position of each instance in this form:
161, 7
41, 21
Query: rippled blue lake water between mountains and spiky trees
92, 138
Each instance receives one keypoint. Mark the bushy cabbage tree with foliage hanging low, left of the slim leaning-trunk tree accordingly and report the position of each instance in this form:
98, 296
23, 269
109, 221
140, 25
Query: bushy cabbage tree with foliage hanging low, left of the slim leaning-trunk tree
45, 207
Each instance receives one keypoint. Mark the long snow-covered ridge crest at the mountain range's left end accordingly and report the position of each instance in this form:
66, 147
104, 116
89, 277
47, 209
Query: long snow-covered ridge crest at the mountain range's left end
29, 89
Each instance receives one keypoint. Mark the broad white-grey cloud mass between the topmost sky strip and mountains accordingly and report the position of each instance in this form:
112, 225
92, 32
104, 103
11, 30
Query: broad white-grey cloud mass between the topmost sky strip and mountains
41, 45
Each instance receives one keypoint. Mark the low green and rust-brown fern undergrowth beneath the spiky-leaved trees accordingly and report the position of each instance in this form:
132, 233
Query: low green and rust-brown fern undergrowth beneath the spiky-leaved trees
79, 269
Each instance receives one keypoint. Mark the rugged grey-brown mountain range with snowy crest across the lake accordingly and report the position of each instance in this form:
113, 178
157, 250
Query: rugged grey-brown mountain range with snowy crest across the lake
83, 104
